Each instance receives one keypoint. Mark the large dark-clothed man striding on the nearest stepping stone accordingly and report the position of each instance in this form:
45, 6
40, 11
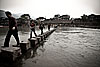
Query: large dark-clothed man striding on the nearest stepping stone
12, 30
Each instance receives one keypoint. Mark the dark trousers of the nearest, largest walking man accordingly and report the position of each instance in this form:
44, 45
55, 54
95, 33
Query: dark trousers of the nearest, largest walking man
7, 39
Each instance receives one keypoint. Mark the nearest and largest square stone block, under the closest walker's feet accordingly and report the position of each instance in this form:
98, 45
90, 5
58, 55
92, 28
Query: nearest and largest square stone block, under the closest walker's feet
10, 54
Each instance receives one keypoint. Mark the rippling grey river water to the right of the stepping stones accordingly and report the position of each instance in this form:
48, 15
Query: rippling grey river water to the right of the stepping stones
67, 47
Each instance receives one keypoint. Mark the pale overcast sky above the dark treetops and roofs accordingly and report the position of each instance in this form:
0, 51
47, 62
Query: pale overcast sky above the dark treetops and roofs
48, 8
